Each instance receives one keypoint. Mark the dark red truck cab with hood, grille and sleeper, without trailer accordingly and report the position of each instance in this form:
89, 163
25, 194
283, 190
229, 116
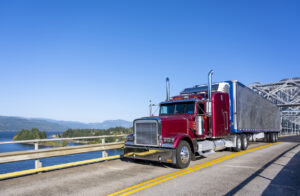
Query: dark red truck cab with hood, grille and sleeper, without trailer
183, 122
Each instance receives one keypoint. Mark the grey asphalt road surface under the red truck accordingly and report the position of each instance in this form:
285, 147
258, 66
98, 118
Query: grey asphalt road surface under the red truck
272, 170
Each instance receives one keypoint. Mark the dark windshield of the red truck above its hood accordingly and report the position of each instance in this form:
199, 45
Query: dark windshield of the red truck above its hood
177, 108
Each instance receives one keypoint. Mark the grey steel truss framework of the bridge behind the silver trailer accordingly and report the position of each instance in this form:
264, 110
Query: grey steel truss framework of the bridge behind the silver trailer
286, 95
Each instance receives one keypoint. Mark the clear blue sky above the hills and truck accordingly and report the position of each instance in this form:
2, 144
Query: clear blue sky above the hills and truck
91, 61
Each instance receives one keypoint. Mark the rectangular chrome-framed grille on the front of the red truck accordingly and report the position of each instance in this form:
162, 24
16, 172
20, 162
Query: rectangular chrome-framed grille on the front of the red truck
146, 132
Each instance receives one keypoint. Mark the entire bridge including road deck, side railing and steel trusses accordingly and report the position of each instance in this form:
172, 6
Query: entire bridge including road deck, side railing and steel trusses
262, 169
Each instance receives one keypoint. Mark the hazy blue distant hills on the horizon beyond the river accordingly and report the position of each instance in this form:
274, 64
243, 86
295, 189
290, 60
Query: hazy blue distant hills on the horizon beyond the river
9, 123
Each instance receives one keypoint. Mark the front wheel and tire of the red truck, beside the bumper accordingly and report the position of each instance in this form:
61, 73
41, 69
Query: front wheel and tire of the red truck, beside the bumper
183, 155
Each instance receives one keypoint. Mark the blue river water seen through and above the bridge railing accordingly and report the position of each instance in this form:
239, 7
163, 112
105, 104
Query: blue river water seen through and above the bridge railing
23, 165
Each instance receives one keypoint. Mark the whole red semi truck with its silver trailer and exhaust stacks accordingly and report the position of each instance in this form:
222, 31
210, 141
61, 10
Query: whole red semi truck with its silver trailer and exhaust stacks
201, 120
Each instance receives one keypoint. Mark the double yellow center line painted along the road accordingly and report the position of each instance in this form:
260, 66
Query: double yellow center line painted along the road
150, 183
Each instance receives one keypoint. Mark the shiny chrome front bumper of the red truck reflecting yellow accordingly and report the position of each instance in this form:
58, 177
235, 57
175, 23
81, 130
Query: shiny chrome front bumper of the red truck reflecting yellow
165, 155
